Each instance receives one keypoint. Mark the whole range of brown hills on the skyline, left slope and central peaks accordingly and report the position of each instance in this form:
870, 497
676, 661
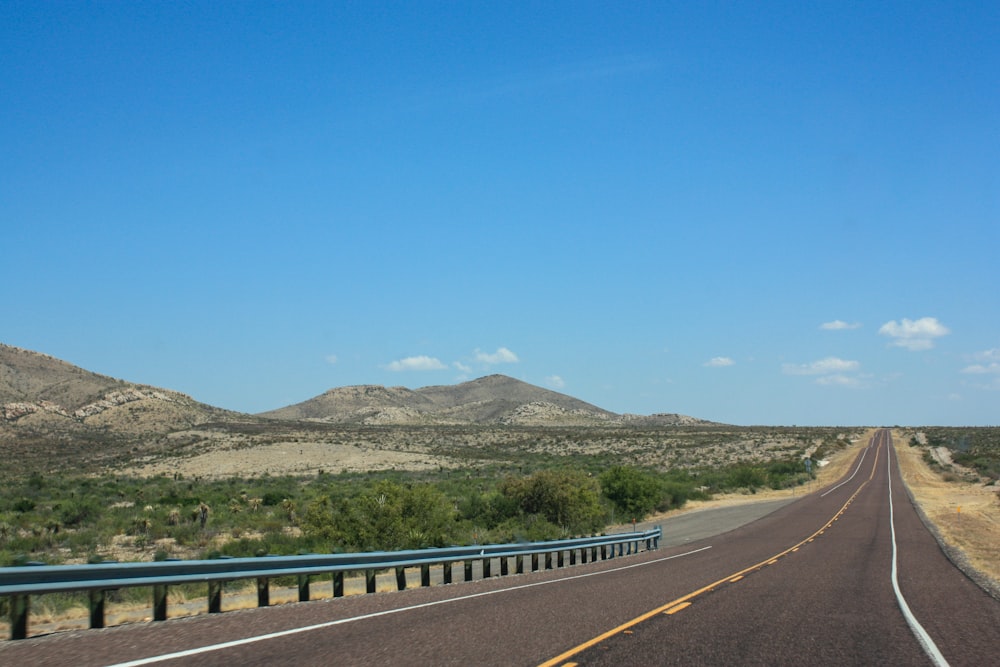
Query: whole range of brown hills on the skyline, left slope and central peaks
47, 400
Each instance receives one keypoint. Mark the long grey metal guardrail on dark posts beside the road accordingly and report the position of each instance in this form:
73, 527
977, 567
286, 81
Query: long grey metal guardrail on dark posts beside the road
19, 583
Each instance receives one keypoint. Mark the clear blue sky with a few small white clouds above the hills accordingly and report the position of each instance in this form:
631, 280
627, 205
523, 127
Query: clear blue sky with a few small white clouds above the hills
755, 213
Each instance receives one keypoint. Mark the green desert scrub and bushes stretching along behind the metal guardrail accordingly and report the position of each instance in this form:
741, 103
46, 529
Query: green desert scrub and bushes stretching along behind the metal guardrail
499, 496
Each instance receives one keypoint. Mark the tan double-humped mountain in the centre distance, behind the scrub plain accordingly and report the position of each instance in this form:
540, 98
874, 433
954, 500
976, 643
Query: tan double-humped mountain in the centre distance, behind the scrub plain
494, 399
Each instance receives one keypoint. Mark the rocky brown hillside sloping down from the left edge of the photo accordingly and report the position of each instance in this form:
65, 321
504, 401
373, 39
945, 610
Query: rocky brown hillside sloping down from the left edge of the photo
42, 393
